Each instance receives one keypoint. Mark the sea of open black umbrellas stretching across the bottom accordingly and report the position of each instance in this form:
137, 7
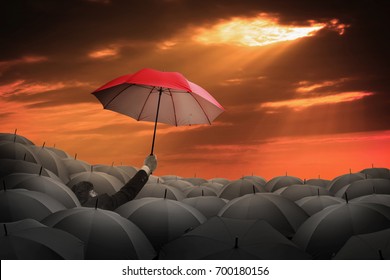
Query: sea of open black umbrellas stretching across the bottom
285, 218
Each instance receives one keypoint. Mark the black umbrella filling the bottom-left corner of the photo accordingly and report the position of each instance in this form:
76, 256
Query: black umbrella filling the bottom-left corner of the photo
30, 240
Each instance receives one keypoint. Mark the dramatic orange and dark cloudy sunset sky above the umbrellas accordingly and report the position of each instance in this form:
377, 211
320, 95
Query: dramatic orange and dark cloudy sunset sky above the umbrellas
304, 84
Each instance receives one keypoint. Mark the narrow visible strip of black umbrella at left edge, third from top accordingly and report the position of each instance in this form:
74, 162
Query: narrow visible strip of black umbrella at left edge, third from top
9, 166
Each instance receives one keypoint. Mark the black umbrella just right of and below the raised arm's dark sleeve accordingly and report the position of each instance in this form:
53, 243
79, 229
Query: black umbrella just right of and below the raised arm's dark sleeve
162, 220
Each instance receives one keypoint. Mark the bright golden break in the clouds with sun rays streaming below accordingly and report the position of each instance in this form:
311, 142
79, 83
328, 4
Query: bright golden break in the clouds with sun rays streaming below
258, 31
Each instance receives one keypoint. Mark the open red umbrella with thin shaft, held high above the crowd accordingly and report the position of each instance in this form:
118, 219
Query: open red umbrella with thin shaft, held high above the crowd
155, 96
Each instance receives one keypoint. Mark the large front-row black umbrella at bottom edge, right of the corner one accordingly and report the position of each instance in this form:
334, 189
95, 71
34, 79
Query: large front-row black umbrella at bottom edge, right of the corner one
106, 235
